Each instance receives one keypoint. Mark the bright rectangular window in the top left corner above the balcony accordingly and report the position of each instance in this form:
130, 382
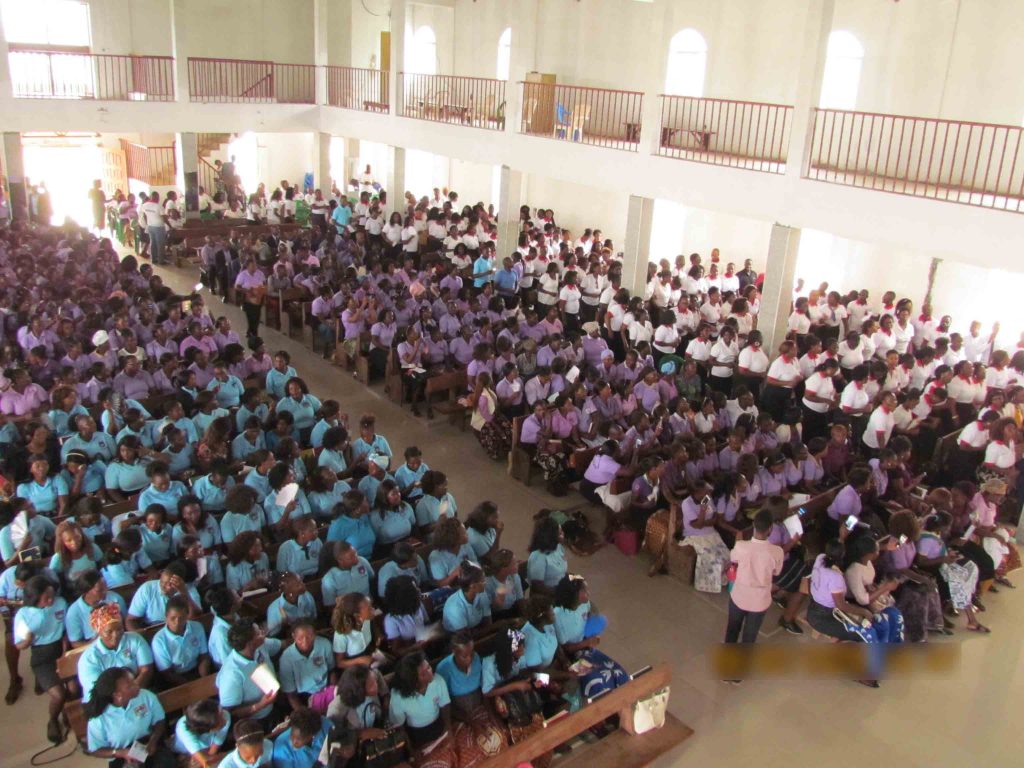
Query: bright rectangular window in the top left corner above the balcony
47, 23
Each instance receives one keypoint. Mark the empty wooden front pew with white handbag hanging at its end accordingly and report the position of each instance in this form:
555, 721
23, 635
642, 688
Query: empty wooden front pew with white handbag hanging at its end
620, 750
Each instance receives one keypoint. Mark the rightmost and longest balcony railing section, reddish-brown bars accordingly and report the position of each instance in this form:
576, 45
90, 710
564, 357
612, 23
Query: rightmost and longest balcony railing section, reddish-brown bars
977, 164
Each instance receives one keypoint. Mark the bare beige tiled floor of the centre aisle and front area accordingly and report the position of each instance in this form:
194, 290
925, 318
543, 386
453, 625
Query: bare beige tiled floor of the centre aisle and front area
965, 719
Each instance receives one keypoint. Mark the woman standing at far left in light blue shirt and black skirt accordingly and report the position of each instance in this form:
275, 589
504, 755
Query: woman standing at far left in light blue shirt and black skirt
39, 626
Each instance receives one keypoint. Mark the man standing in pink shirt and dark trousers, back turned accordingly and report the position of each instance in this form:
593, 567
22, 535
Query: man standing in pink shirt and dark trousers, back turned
756, 562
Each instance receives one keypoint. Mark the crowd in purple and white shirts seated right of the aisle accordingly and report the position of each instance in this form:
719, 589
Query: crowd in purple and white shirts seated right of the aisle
672, 395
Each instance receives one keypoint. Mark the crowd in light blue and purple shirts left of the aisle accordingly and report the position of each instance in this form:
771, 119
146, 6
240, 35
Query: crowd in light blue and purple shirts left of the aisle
177, 508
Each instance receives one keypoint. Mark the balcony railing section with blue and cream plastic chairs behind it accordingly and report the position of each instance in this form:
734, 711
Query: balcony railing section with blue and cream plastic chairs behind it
588, 116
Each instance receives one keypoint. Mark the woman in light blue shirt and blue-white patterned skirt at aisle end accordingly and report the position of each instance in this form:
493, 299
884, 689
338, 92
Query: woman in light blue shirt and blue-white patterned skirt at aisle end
579, 628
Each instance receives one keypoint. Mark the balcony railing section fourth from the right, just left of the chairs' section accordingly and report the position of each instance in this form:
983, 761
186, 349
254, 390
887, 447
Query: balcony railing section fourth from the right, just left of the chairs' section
450, 99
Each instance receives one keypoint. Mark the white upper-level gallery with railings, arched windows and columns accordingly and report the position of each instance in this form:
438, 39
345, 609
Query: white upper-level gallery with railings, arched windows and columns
739, 106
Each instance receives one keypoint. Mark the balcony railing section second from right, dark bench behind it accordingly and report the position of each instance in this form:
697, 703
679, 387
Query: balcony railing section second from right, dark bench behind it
740, 135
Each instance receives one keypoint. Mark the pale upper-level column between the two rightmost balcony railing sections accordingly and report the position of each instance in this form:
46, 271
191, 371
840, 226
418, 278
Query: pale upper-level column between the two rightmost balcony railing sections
815, 48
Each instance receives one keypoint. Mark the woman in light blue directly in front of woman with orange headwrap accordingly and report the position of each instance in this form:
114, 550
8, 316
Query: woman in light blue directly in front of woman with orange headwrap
121, 713
